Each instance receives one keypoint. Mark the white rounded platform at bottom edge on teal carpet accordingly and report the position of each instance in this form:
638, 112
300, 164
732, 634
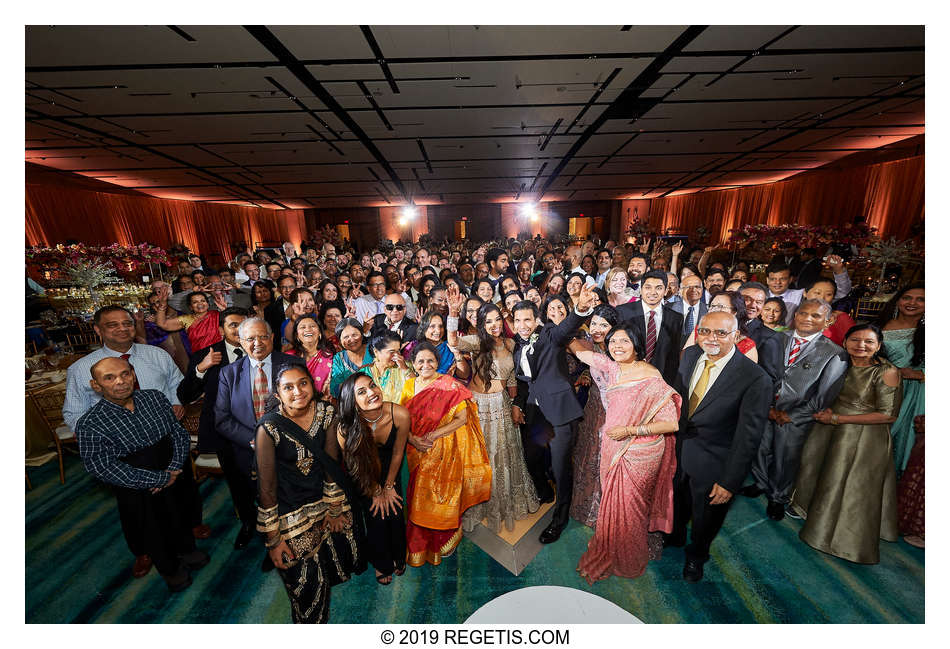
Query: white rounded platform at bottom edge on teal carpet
551, 605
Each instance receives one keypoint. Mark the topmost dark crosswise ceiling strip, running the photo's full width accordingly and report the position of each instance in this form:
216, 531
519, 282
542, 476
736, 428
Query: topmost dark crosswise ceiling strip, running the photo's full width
474, 59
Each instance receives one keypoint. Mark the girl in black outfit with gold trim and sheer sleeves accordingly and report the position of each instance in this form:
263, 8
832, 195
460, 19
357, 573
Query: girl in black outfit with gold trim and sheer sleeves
313, 530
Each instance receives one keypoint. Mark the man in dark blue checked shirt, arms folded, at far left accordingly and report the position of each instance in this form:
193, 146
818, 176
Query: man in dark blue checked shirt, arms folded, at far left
131, 440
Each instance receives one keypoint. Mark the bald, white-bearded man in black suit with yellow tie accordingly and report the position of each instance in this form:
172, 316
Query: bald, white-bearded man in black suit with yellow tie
726, 401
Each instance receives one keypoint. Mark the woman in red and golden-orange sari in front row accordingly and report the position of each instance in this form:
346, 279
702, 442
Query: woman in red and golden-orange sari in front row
448, 464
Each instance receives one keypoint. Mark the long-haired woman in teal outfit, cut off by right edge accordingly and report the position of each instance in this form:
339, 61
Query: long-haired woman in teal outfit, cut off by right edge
903, 325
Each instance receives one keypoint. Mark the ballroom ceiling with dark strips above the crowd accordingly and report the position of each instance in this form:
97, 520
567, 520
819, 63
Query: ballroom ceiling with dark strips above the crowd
339, 116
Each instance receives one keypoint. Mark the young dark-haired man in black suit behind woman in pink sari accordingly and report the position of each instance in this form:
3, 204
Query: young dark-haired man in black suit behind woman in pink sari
661, 326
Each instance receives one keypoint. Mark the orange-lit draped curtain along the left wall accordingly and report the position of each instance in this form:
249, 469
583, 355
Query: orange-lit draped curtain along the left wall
54, 214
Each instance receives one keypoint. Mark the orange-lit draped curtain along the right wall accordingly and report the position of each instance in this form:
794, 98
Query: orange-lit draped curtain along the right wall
889, 194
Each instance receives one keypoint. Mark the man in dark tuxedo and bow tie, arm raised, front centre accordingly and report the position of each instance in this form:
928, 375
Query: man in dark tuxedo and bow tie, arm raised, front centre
545, 392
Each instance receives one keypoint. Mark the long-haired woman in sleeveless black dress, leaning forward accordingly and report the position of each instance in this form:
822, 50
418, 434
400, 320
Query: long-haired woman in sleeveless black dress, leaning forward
373, 434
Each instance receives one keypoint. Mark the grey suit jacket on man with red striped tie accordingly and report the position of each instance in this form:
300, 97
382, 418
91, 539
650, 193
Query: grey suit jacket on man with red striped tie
813, 382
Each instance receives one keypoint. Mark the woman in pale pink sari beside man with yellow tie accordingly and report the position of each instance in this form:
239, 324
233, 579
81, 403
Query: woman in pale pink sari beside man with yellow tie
637, 458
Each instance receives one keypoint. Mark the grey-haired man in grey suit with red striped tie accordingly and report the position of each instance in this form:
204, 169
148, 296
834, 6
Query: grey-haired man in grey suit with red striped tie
814, 372
